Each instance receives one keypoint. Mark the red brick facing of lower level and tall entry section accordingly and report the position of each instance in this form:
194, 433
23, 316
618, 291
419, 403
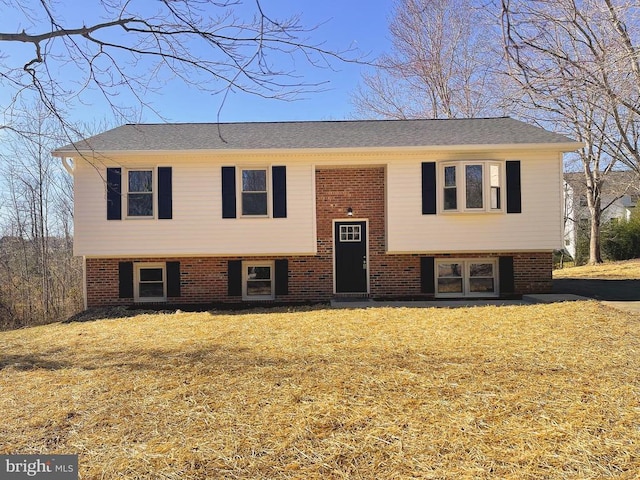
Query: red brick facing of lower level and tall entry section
205, 279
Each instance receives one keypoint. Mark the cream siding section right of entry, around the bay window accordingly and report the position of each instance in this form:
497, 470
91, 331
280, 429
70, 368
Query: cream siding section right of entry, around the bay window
538, 227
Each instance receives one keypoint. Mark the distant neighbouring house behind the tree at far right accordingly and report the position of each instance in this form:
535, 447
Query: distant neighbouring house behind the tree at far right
620, 192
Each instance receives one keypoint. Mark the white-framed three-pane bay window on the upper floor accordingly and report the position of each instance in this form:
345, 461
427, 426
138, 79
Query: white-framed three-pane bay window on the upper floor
471, 186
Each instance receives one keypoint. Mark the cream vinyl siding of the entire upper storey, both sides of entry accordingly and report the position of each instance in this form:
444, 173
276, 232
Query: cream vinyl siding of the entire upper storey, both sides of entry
197, 226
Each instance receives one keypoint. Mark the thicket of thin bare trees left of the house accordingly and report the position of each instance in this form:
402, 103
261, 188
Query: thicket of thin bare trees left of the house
40, 281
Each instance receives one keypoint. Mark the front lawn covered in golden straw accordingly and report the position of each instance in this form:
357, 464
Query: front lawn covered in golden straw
518, 392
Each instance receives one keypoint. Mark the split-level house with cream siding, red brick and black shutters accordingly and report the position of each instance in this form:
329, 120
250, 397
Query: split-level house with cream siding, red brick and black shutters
305, 211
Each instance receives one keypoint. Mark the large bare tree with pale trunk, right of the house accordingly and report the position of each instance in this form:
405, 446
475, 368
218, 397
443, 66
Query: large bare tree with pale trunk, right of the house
577, 64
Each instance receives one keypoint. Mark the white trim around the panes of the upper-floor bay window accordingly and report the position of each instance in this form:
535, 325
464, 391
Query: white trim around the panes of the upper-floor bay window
461, 187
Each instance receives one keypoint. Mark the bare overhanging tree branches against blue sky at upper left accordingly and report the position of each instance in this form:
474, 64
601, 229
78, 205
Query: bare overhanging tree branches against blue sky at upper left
136, 46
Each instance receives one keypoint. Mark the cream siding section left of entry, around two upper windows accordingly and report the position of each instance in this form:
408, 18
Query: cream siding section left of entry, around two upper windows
197, 226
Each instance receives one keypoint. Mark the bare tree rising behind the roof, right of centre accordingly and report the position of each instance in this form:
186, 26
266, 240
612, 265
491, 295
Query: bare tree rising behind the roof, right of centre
443, 63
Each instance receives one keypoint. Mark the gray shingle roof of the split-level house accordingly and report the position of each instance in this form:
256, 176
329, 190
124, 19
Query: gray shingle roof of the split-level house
317, 134
